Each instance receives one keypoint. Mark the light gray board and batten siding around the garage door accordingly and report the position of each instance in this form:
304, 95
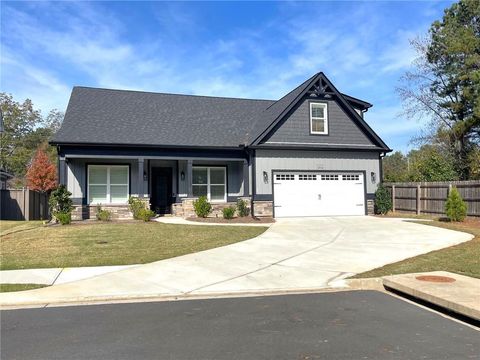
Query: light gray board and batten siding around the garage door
268, 160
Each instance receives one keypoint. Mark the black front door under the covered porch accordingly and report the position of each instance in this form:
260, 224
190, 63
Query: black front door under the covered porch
161, 199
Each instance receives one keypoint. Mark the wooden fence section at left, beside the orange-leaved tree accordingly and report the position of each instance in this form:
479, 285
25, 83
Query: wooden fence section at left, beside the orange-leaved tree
23, 204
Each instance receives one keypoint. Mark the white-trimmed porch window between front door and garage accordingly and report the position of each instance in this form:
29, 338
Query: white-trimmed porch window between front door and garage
210, 182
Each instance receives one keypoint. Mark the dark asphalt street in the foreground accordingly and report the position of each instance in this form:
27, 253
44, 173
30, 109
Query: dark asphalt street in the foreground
343, 325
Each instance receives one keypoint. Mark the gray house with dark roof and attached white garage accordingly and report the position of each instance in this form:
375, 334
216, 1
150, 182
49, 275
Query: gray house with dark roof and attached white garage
310, 153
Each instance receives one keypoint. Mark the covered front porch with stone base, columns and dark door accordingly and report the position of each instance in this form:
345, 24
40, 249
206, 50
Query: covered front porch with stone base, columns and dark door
168, 184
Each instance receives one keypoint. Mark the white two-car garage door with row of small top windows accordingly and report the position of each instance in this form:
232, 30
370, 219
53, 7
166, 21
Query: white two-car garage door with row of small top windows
318, 194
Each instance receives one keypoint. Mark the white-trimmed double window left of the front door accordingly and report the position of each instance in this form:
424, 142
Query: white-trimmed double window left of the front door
108, 184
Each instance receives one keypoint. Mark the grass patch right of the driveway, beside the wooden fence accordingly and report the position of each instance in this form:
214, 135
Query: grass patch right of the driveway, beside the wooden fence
463, 259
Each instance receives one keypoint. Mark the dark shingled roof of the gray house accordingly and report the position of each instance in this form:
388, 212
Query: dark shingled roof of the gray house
121, 117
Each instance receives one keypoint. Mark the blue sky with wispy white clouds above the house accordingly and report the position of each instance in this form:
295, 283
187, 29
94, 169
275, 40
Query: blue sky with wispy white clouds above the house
248, 49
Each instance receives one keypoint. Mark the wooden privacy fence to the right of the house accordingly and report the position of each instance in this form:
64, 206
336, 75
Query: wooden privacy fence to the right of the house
430, 197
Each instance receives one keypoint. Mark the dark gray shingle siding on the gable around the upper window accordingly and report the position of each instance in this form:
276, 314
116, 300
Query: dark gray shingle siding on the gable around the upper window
341, 129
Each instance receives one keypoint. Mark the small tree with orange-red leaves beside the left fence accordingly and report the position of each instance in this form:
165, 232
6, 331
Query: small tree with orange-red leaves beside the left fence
42, 174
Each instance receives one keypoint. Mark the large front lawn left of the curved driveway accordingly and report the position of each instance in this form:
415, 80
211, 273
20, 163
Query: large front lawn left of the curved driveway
32, 245
